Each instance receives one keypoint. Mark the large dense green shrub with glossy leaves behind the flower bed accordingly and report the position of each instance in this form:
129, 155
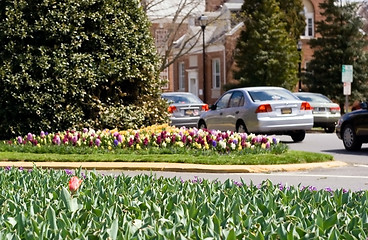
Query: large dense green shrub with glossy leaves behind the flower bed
70, 62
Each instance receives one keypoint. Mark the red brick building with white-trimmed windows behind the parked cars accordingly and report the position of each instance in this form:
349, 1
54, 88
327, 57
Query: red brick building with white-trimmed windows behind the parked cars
205, 77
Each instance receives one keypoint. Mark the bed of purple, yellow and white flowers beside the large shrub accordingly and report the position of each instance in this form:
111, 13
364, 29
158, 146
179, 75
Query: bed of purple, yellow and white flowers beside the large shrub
162, 137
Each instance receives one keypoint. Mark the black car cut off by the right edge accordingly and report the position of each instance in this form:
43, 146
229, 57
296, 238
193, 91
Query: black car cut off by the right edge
352, 128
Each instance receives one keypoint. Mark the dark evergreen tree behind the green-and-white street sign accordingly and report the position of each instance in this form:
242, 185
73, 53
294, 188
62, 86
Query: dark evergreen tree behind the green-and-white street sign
340, 43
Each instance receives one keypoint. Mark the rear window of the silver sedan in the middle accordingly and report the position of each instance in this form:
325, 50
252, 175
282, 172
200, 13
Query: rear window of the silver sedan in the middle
270, 95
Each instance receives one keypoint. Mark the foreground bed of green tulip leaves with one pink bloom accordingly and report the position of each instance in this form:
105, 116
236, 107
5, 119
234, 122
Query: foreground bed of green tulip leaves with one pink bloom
38, 205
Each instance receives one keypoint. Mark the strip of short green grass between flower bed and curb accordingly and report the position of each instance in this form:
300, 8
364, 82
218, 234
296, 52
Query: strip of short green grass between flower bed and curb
288, 157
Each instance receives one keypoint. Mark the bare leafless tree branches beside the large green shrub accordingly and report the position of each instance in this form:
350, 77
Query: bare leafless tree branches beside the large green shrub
173, 30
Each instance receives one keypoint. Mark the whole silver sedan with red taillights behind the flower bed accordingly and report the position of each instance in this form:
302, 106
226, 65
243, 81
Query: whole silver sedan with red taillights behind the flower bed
260, 110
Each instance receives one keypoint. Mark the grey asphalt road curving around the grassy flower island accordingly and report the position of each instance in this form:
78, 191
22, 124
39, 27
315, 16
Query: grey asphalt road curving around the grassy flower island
354, 176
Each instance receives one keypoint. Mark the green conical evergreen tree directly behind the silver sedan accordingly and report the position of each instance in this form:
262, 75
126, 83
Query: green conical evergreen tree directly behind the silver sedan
266, 52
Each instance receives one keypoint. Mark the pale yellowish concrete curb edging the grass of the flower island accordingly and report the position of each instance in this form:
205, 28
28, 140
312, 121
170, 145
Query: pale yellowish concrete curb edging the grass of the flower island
175, 167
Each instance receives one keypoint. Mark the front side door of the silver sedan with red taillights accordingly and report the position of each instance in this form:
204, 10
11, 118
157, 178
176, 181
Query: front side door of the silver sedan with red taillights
215, 117
